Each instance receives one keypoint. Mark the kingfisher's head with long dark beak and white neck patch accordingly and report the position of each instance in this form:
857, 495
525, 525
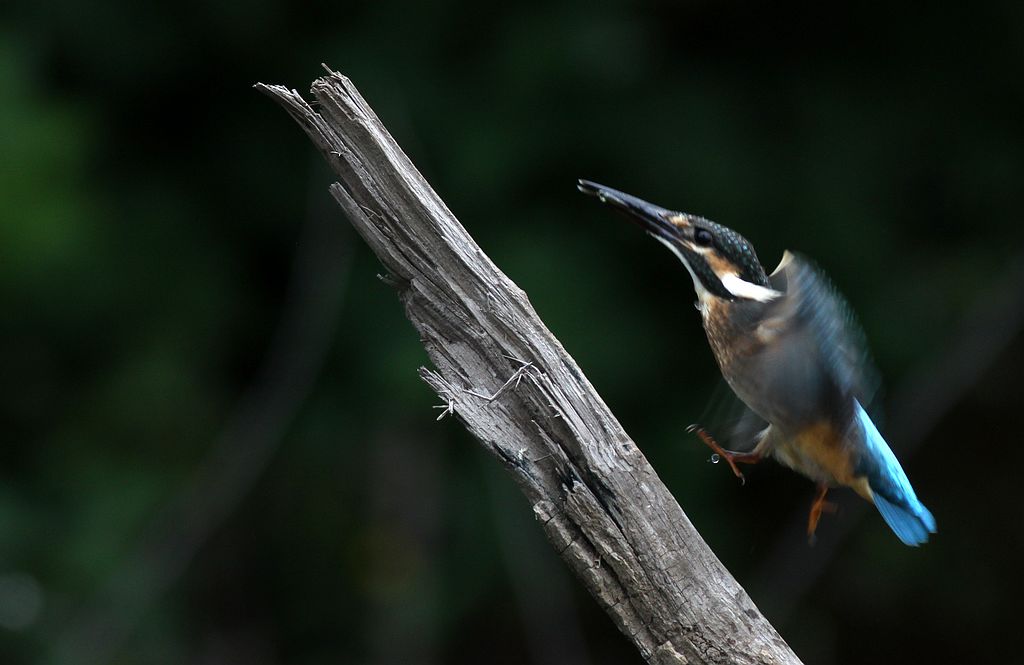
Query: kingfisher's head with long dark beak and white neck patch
722, 264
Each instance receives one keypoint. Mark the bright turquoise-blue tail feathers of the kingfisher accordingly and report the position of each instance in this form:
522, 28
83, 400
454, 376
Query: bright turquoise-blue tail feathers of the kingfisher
894, 497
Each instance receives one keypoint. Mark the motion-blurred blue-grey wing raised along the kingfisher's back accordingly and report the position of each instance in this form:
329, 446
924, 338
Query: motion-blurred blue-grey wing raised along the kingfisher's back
827, 331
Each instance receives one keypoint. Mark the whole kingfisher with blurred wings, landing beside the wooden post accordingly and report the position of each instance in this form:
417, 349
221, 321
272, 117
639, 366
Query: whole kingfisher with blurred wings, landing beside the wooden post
788, 346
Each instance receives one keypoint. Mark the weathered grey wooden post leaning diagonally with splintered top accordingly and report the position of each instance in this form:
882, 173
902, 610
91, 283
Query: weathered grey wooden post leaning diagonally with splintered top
503, 373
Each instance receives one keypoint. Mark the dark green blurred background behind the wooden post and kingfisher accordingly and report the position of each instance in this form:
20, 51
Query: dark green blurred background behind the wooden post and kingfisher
176, 281
